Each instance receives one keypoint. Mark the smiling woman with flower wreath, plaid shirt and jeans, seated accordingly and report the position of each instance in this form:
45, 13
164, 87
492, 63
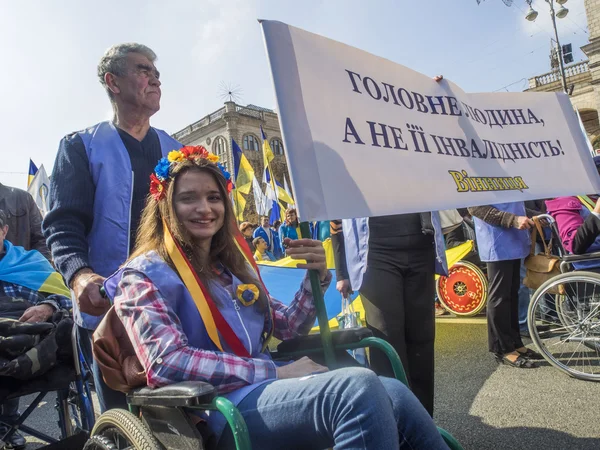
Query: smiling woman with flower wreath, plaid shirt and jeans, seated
194, 308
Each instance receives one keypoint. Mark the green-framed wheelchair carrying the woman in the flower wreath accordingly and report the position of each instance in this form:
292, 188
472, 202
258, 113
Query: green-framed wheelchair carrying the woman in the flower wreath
157, 418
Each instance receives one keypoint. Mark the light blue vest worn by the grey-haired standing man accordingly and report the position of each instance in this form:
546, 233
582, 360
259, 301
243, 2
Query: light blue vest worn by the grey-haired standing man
110, 167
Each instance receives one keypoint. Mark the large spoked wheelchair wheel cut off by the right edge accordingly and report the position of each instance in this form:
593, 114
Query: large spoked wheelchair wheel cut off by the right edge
565, 326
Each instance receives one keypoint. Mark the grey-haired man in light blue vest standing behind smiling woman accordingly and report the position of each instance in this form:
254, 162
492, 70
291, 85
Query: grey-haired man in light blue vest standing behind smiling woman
98, 189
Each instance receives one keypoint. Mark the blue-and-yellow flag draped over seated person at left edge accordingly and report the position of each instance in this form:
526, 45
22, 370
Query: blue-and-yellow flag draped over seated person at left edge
31, 270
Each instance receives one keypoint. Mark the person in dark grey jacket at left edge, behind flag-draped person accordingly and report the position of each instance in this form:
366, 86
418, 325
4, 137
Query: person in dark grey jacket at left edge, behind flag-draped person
24, 219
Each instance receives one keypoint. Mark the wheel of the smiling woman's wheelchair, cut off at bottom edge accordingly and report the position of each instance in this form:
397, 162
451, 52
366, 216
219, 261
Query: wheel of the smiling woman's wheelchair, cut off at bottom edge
119, 429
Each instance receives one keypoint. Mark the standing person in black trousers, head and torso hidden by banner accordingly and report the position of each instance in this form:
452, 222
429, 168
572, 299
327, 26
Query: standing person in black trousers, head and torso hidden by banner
397, 292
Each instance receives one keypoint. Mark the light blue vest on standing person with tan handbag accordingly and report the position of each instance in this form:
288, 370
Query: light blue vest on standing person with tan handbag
496, 243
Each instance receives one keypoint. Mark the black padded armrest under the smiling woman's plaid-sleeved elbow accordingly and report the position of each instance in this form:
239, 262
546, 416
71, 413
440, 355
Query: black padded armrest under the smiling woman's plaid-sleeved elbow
185, 393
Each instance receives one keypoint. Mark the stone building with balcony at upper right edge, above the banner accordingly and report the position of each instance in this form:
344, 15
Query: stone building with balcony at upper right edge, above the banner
583, 78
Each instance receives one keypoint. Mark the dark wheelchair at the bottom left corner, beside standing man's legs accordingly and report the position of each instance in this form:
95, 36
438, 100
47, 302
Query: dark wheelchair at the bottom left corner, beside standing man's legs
73, 401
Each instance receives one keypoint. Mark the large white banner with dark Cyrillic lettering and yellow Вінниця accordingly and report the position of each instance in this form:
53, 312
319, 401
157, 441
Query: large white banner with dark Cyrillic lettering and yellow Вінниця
365, 136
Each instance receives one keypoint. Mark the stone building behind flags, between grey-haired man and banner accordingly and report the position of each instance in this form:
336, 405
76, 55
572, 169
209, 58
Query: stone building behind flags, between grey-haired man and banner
242, 124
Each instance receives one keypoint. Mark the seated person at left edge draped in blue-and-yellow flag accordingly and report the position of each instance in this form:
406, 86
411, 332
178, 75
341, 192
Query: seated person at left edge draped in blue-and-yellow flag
30, 291
